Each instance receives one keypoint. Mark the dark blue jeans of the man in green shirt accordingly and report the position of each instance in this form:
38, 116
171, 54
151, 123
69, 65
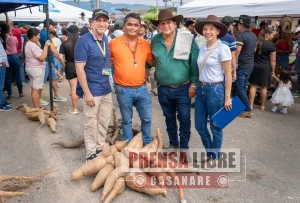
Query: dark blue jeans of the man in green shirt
176, 102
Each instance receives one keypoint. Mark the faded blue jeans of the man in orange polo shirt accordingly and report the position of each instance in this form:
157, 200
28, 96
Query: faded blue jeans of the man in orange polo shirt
141, 99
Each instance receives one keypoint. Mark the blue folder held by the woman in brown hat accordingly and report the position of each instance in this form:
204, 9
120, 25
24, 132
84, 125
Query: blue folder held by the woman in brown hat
223, 117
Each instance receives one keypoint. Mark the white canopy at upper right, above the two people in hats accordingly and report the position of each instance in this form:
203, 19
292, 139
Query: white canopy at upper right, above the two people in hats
234, 8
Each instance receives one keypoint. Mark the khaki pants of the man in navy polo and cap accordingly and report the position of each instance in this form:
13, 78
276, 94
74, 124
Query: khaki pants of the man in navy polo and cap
96, 123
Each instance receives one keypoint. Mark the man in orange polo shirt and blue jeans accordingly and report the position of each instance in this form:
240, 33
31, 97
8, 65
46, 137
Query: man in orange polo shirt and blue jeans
130, 53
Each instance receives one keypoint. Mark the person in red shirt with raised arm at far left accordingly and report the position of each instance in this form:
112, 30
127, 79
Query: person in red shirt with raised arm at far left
17, 32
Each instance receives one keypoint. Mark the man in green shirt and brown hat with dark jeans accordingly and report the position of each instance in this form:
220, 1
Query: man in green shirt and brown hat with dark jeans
177, 78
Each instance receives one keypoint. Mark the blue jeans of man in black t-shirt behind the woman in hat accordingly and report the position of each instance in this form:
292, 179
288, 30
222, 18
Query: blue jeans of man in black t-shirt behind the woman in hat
241, 82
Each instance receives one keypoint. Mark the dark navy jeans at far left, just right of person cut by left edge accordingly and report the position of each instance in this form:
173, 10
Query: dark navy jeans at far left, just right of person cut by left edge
14, 66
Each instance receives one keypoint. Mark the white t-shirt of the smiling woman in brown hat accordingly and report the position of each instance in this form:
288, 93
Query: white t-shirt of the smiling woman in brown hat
213, 70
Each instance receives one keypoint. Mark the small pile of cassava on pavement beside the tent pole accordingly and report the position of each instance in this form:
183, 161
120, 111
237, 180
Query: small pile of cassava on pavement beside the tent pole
42, 115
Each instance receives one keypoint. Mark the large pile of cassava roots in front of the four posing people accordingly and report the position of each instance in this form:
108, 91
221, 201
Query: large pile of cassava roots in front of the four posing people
115, 169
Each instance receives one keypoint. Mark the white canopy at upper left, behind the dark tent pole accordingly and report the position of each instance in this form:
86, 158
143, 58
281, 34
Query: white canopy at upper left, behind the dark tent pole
58, 12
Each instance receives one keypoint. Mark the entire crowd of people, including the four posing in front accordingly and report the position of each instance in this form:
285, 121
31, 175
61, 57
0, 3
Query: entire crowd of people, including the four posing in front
208, 60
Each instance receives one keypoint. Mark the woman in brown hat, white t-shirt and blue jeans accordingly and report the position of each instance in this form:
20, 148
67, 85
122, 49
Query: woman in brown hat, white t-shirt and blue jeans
213, 90
